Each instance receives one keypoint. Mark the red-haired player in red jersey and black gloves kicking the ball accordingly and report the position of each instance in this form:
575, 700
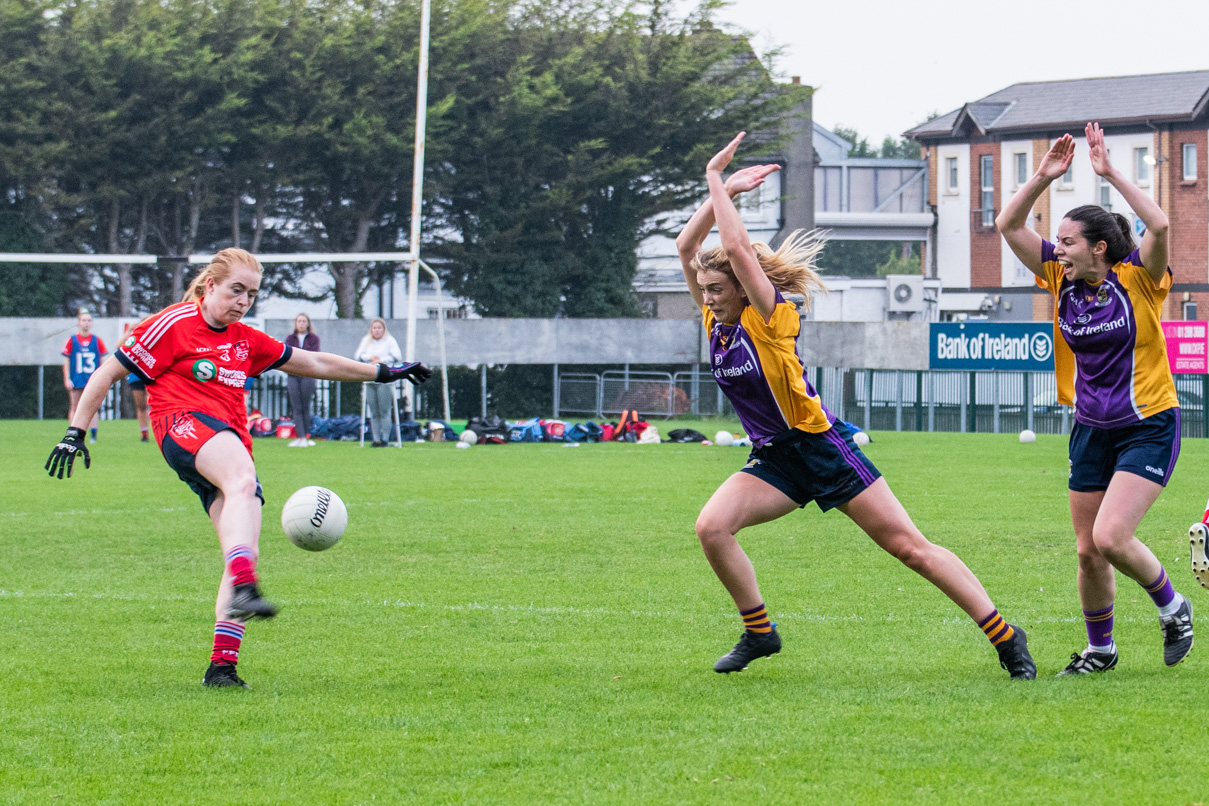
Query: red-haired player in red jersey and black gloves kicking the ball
195, 358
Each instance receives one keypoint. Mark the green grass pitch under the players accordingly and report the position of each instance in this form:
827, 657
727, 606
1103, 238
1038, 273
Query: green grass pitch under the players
536, 624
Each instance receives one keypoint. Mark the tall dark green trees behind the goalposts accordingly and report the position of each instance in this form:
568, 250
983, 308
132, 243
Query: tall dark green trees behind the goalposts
557, 135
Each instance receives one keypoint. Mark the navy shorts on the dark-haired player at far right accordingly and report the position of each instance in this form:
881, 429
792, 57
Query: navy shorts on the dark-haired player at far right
1148, 449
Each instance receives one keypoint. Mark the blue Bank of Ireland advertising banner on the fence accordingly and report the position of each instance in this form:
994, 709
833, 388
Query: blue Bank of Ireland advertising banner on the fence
1027, 346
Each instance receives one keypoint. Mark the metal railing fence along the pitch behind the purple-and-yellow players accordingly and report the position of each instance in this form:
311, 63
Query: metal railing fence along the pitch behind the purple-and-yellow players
895, 401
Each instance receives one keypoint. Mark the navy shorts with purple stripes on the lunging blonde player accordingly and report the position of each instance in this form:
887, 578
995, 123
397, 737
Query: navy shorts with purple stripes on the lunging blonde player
825, 468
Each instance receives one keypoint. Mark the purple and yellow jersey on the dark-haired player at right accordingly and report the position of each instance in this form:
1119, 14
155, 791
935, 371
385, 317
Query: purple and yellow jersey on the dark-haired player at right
1110, 358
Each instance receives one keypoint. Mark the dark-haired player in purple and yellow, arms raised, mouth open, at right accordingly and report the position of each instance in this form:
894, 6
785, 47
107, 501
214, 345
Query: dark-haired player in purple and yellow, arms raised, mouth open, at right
1110, 362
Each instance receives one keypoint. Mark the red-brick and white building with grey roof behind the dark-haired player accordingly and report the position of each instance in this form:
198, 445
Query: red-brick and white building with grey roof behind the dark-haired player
1156, 134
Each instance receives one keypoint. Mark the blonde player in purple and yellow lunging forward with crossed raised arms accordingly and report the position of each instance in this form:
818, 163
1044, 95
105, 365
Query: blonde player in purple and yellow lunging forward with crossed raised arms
801, 451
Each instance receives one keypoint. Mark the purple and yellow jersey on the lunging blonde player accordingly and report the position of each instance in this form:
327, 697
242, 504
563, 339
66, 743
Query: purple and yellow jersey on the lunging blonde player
759, 369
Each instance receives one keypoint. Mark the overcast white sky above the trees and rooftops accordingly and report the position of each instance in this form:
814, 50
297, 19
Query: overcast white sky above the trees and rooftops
882, 67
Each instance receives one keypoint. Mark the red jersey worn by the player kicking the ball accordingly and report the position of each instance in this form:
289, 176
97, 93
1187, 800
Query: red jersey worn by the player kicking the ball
190, 367
